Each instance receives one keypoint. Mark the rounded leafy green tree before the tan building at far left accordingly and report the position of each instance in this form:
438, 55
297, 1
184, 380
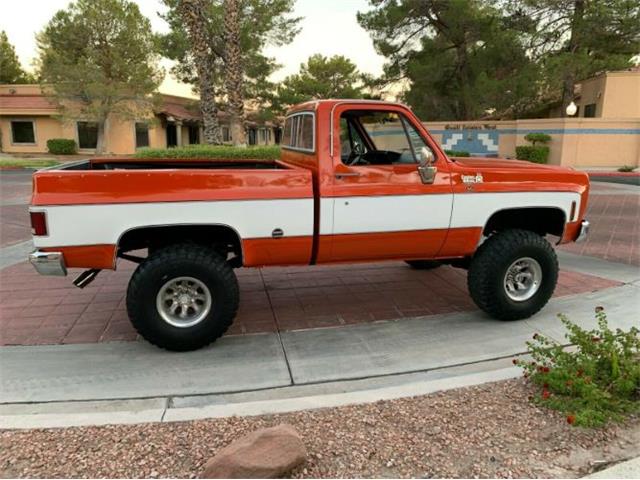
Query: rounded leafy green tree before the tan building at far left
97, 60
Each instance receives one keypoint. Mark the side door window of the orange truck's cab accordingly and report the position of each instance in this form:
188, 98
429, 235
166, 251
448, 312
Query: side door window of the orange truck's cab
370, 137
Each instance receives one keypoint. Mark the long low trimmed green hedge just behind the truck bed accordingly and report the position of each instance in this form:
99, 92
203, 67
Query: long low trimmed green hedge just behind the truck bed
270, 152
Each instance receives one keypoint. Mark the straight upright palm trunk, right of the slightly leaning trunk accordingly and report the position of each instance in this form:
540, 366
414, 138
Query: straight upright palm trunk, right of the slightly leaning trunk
234, 73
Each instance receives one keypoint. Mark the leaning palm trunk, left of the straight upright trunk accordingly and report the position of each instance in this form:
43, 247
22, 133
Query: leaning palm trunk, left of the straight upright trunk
194, 16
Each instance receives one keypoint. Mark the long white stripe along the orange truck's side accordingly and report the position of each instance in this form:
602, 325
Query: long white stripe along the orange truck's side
104, 224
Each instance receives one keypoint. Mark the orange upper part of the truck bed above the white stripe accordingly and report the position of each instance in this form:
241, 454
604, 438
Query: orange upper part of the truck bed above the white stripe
110, 181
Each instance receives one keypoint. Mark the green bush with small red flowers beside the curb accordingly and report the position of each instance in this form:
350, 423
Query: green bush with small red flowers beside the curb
597, 381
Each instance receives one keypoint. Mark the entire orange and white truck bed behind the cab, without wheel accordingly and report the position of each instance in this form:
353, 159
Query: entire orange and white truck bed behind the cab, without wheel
90, 205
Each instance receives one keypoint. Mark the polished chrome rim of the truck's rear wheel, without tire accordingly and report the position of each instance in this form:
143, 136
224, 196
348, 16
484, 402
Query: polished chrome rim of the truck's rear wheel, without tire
183, 302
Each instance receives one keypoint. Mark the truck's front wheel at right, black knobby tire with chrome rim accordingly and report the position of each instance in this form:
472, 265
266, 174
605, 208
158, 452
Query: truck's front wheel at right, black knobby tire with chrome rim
513, 274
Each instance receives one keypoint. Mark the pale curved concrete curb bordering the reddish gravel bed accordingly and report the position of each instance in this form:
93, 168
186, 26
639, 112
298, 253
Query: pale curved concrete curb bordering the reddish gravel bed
75, 414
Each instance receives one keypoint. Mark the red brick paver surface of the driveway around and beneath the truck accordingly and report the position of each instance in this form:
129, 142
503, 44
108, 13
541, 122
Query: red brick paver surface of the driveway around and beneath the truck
49, 310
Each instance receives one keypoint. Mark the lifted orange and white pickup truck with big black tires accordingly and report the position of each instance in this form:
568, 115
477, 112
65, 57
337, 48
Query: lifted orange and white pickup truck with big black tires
358, 181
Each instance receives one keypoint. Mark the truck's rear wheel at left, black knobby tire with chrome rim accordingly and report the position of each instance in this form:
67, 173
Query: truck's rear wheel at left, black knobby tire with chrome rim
183, 297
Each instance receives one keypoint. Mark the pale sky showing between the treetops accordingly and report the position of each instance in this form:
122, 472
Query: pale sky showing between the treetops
328, 27
